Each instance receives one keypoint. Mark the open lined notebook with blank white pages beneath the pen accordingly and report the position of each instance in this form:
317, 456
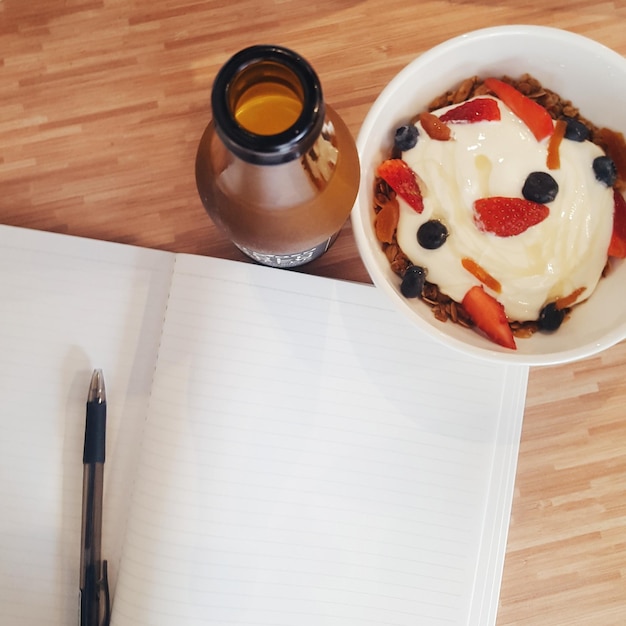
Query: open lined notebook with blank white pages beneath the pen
282, 449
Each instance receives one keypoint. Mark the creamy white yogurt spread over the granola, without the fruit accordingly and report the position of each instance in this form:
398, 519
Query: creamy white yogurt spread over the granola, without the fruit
552, 259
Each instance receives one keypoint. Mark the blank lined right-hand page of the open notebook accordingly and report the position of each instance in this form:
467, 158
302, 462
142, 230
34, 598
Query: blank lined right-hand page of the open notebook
310, 458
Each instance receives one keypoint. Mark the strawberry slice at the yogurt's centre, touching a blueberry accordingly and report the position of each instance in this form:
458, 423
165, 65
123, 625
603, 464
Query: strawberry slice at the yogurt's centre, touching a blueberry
507, 217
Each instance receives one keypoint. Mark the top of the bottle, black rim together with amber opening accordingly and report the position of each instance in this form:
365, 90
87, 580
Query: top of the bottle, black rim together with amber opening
267, 105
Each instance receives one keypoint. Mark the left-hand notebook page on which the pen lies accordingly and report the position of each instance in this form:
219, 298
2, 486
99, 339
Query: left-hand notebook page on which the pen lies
67, 306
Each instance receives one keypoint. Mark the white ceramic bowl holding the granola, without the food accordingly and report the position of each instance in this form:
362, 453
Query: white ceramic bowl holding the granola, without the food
589, 74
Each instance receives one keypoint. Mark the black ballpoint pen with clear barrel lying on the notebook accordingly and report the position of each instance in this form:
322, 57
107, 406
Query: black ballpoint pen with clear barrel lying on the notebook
94, 589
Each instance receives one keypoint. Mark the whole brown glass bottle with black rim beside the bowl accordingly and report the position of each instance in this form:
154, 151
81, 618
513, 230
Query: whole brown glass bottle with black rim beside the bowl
277, 170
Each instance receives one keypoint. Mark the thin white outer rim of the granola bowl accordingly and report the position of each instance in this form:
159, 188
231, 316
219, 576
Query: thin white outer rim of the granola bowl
491, 353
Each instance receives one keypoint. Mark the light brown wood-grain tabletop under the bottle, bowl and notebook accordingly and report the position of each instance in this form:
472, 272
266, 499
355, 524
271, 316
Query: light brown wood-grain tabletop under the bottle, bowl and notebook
102, 104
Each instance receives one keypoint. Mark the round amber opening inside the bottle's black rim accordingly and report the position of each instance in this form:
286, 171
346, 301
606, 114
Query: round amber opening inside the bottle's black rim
268, 99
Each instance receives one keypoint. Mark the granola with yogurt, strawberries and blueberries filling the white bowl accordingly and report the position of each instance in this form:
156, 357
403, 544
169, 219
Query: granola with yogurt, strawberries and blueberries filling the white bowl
499, 206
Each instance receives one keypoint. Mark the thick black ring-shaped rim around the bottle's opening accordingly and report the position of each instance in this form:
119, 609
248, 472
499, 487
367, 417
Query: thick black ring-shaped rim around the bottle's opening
287, 145
